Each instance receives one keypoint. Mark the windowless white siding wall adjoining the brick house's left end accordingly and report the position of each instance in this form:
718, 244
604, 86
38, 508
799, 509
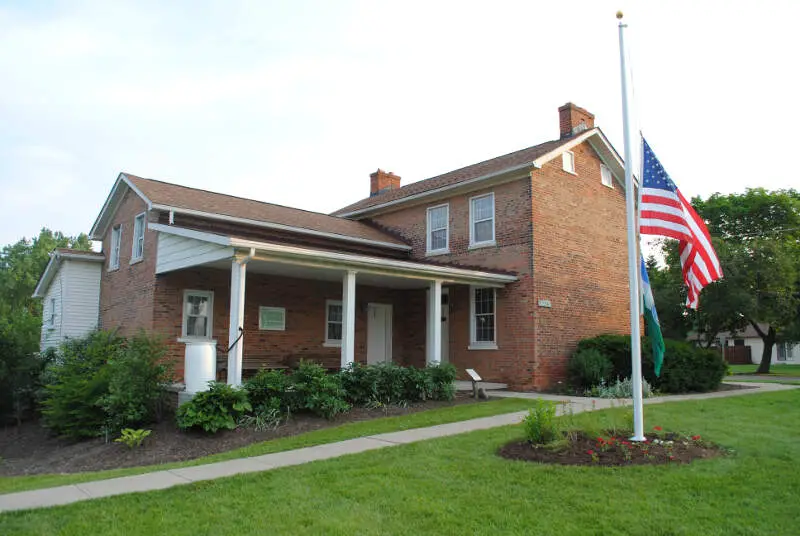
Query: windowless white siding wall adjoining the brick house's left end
81, 308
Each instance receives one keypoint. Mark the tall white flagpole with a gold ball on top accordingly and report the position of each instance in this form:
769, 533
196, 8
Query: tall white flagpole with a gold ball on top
633, 252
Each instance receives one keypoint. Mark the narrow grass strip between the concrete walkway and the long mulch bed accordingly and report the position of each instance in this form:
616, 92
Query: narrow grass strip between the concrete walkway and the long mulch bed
328, 435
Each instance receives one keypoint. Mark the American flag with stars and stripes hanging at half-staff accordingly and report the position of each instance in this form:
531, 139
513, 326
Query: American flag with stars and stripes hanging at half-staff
665, 212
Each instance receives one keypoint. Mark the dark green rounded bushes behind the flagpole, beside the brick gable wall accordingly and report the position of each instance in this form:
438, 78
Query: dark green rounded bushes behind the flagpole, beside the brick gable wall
686, 368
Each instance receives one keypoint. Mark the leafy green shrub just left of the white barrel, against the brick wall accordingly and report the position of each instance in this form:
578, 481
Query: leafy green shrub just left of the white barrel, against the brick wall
137, 381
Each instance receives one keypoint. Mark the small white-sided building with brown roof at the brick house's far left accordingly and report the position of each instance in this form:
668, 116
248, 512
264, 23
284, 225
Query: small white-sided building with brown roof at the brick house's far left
70, 292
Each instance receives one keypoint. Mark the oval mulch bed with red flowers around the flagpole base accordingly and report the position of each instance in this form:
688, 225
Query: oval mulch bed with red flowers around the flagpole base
585, 450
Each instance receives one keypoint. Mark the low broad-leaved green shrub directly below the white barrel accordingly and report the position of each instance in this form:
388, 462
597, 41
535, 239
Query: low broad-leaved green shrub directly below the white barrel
219, 407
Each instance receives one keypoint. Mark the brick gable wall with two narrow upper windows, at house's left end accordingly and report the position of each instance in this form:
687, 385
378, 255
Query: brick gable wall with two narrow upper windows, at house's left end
126, 294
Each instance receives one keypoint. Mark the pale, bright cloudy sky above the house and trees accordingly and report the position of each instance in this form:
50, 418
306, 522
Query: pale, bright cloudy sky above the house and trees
297, 102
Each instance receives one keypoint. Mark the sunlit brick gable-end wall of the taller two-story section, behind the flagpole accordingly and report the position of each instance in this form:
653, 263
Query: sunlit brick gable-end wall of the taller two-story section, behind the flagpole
580, 260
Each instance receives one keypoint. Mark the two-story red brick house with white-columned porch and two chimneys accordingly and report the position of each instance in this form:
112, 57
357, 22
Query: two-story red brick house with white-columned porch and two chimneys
502, 266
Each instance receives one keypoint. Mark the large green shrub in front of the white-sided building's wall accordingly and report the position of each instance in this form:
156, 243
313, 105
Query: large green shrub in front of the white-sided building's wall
77, 380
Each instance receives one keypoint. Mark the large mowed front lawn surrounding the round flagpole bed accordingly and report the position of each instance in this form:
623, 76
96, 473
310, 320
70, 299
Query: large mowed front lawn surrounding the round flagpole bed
457, 485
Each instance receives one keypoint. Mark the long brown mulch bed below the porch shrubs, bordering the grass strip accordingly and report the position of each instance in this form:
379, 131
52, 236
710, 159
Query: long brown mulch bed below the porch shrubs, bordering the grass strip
30, 449
